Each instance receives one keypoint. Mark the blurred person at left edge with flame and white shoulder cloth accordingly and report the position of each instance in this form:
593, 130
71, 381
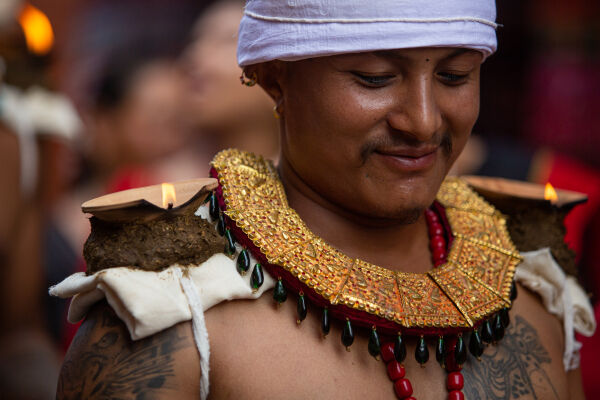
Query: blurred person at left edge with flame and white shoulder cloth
37, 129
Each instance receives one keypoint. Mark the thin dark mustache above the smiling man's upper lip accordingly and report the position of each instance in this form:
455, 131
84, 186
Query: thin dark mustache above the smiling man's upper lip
398, 139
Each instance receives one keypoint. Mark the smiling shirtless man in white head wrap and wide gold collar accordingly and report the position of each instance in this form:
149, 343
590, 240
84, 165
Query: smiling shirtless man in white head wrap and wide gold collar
375, 104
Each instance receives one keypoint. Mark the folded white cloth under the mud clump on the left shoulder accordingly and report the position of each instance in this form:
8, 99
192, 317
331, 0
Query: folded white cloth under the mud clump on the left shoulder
149, 302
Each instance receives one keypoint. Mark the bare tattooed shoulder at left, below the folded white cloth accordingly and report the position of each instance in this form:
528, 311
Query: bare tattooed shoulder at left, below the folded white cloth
104, 363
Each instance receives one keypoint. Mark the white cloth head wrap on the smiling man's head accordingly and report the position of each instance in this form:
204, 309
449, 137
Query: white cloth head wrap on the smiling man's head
296, 29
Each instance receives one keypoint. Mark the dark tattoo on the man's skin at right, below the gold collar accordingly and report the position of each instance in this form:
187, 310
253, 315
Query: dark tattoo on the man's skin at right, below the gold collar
512, 369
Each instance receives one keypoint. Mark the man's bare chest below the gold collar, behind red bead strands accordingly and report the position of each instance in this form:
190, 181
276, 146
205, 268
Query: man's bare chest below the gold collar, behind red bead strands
264, 354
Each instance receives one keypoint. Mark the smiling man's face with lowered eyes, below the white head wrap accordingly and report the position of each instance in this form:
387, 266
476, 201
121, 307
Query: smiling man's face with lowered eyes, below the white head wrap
376, 133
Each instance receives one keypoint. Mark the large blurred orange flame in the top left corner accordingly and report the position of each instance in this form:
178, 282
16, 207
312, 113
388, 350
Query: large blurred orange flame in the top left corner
37, 29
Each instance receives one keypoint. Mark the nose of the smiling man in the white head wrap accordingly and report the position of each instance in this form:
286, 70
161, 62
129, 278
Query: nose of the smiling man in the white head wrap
416, 112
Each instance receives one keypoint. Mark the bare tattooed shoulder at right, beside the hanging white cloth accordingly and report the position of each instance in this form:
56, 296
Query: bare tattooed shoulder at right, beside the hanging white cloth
528, 362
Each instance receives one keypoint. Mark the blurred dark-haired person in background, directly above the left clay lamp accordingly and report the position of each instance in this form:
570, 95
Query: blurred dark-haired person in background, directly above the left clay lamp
137, 129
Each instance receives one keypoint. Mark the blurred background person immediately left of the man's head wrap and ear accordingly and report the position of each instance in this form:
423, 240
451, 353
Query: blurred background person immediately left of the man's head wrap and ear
224, 112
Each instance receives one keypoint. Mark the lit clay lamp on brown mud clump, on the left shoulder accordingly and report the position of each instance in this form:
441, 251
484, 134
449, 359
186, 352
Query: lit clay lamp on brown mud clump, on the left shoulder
151, 227
